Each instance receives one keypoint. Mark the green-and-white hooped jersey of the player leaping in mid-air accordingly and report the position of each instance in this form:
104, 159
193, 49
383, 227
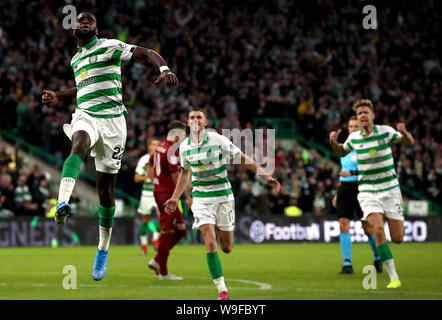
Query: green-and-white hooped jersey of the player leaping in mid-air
97, 69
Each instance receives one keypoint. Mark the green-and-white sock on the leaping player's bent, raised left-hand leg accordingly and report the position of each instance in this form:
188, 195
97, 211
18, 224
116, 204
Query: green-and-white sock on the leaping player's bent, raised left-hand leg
70, 172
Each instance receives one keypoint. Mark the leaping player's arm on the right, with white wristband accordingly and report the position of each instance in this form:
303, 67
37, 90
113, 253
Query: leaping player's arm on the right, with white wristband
166, 77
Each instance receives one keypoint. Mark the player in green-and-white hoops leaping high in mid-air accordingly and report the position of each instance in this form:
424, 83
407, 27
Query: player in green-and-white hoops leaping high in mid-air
98, 124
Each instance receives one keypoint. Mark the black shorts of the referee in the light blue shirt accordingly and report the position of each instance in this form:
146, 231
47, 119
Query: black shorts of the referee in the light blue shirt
347, 205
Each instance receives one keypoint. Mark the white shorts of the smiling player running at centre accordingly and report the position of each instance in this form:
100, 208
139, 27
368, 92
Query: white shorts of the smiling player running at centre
221, 214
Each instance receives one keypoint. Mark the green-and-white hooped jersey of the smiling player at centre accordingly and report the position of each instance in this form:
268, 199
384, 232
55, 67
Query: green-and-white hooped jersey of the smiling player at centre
208, 163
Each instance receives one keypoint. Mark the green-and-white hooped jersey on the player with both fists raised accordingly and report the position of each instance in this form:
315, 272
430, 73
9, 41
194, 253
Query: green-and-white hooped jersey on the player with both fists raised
375, 159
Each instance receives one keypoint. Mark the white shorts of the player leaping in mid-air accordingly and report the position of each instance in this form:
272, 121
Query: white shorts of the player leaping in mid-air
108, 139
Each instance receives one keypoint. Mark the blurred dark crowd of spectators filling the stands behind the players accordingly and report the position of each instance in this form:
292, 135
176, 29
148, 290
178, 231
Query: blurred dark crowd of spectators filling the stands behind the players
304, 60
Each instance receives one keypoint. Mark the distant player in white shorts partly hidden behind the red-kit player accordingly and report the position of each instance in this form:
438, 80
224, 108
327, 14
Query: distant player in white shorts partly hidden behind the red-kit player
147, 200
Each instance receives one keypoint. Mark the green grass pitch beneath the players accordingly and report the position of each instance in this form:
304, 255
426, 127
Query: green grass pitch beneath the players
306, 271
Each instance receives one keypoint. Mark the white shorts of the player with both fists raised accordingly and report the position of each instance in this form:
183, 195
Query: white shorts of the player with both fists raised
389, 203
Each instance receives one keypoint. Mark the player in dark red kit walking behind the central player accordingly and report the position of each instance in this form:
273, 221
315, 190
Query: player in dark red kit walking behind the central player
163, 168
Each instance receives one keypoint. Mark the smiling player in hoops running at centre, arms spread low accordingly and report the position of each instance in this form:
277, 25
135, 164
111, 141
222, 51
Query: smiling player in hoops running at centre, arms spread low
201, 157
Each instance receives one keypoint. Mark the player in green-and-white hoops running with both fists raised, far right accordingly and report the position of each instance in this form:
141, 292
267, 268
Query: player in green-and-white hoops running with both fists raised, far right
379, 193
